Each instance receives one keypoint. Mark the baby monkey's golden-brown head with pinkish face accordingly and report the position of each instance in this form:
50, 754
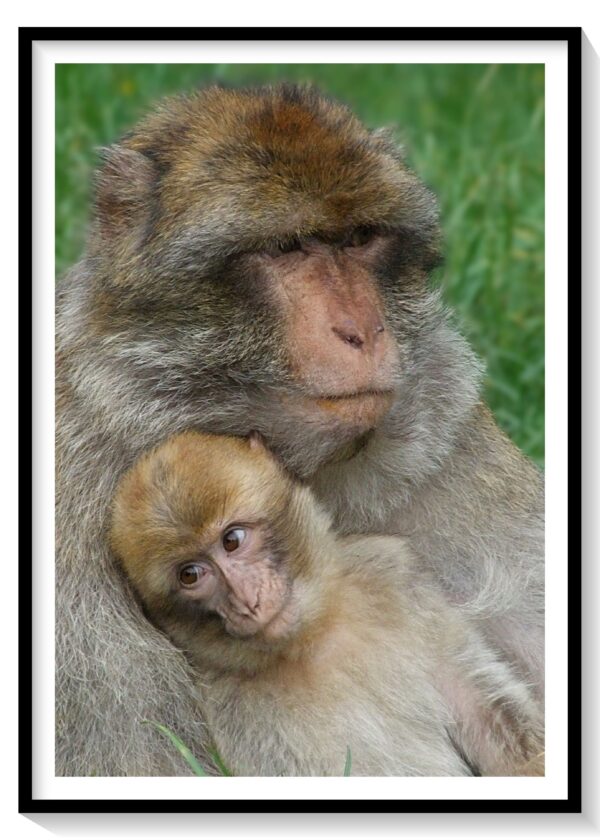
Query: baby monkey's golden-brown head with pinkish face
204, 529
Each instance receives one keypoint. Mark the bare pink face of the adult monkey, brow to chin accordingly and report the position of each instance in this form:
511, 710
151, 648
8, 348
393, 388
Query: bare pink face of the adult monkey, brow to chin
339, 350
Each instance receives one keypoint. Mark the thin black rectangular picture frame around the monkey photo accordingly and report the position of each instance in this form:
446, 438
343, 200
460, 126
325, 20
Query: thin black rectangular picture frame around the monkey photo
27, 37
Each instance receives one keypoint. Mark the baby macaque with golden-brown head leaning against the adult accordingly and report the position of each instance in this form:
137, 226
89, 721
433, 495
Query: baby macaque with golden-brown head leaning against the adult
306, 643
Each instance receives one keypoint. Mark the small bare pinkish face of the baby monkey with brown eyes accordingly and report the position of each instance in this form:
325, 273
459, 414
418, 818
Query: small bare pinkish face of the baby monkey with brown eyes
237, 577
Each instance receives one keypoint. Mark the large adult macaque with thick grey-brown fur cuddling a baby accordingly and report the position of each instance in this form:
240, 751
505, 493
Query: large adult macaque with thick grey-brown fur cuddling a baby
258, 260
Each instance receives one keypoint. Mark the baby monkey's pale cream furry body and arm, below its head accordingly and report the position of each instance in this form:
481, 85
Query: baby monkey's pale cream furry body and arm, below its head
424, 698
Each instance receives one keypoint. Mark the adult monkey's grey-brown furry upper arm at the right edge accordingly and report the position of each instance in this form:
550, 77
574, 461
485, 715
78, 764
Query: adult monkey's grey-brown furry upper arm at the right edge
487, 544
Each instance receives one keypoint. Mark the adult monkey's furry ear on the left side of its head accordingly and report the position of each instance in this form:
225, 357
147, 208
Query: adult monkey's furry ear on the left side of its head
124, 197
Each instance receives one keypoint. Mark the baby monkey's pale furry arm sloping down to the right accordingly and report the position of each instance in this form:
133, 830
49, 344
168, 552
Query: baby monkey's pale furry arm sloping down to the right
493, 717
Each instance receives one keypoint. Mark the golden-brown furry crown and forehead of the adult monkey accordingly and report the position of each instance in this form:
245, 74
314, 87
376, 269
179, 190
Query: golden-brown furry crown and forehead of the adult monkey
276, 161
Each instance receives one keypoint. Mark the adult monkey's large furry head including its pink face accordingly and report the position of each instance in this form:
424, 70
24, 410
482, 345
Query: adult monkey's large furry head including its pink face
263, 253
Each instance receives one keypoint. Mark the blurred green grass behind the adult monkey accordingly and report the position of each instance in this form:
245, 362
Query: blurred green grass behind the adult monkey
475, 134
